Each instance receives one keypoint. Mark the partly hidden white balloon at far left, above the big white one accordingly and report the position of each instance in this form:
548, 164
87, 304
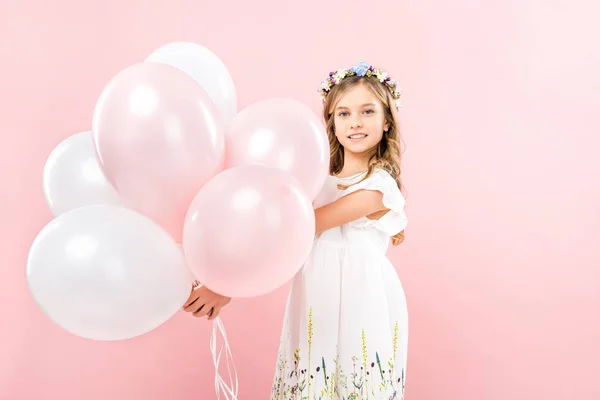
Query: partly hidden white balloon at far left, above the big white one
73, 177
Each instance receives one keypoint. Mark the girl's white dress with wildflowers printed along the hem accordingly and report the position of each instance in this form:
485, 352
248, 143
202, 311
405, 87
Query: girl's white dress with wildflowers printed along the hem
345, 330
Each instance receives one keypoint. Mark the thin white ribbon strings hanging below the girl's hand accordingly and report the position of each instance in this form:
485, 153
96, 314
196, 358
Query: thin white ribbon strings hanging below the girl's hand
230, 390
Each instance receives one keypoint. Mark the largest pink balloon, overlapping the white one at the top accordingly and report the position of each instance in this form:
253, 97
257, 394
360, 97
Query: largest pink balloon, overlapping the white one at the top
159, 139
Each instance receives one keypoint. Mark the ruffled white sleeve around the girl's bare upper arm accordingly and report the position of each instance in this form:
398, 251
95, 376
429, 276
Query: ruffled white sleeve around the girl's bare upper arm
395, 220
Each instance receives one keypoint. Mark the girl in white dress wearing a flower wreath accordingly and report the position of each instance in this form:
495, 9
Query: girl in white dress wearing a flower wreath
345, 329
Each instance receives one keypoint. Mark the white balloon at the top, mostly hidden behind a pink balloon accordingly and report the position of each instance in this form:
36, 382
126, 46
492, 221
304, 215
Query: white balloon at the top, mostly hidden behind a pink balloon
205, 68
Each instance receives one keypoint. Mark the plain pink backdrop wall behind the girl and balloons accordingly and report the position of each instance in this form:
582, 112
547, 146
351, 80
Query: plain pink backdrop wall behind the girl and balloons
501, 122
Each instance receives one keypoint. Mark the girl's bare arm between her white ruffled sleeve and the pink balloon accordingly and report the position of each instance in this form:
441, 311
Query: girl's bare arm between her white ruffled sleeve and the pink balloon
348, 208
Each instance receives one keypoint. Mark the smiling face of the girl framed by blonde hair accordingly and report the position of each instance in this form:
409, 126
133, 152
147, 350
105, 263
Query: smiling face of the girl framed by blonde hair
359, 120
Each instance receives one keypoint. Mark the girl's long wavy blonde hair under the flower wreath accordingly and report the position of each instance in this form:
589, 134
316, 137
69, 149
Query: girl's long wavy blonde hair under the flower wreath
389, 150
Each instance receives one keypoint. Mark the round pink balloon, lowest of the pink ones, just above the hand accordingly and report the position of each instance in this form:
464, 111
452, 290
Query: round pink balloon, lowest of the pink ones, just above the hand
248, 231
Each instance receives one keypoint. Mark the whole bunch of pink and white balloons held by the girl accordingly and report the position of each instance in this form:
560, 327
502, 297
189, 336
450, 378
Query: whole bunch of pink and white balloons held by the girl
173, 184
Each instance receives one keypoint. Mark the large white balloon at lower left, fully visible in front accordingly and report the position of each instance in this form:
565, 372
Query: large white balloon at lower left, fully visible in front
107, 273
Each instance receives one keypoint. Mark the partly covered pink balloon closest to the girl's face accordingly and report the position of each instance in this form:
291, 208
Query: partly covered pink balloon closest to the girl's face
284, 134
